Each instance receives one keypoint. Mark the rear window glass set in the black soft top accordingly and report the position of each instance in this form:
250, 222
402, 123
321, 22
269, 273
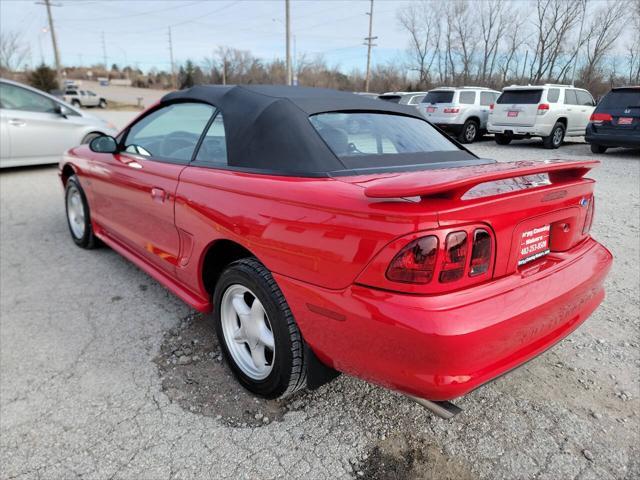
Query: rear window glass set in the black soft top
380, 139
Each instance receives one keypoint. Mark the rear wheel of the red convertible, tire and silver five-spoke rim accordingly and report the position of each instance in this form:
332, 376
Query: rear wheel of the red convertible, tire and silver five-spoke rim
257, 332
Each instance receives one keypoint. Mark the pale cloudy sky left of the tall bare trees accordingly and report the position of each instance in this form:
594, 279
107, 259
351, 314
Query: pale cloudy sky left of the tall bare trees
135, 31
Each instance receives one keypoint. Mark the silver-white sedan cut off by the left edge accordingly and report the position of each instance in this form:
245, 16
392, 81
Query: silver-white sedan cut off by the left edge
37, 128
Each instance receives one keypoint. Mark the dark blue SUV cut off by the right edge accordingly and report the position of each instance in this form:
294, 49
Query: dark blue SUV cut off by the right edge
616, 120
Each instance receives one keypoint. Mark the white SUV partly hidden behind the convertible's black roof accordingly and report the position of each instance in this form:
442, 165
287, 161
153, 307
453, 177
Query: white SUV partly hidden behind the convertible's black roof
461, 111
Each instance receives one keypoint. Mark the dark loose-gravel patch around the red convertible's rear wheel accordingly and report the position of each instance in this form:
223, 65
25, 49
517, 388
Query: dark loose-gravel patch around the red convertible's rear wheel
194, 376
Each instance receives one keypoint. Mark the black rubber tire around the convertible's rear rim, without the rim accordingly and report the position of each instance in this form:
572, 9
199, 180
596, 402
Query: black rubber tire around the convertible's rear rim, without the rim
289, 372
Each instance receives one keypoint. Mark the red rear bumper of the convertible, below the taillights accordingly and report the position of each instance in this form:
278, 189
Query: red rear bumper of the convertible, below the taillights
441, 347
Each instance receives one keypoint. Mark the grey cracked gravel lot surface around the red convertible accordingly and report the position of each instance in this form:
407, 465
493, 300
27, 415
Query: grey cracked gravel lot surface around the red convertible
104, 374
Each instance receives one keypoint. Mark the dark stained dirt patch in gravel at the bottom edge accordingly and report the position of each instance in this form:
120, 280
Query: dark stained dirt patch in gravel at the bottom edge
405, 458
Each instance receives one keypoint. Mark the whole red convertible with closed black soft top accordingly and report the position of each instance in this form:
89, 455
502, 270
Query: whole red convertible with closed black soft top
329, 232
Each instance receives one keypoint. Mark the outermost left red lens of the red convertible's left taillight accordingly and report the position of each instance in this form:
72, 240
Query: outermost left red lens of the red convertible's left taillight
416, 262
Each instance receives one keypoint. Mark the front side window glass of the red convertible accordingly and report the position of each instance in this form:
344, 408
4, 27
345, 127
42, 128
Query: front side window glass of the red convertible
170, 133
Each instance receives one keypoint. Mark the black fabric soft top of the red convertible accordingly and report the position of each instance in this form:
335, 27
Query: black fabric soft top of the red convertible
267, 127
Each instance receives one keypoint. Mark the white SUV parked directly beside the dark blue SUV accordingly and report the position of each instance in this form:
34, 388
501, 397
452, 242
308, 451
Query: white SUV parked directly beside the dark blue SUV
548, 111
